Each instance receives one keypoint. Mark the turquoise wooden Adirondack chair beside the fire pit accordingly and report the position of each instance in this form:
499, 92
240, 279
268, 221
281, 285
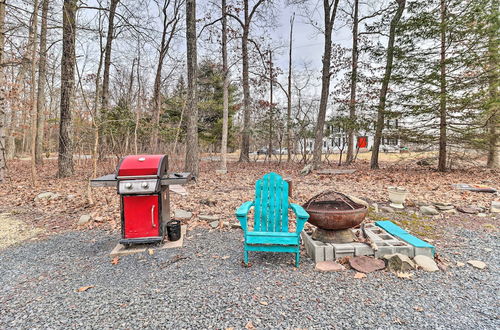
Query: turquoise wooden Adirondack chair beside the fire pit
270, 231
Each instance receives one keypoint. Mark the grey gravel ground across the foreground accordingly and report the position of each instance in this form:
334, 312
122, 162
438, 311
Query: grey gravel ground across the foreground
203, 285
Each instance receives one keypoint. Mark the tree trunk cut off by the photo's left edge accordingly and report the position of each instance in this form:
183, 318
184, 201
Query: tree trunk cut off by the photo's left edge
3, 104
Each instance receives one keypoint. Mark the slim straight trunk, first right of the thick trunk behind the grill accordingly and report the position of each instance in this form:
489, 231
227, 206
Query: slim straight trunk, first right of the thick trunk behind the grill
225, 91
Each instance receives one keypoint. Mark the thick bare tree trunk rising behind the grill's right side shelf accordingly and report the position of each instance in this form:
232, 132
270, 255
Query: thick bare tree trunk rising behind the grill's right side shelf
191, 163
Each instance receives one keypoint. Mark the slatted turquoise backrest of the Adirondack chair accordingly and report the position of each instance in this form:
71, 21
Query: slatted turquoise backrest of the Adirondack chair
271, 204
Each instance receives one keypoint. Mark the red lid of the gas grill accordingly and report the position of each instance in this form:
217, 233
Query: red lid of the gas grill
143, 165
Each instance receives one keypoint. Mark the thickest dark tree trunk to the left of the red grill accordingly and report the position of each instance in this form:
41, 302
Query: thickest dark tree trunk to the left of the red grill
65, 159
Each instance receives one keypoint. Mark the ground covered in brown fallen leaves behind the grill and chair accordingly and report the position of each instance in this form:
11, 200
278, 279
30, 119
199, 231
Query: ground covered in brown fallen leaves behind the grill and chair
219, 195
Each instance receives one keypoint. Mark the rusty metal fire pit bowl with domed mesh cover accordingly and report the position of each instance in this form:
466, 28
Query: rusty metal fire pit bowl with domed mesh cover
333, 214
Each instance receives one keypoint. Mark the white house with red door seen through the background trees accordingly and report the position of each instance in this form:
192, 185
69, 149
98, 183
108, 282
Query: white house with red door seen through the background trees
337, 140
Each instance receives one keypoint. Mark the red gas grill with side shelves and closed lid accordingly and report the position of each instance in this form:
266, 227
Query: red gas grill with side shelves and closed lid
142, 182
